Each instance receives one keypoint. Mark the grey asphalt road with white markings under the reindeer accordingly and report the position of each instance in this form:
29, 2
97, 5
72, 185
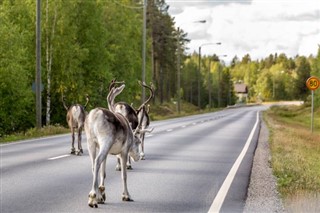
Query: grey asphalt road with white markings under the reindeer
193, 164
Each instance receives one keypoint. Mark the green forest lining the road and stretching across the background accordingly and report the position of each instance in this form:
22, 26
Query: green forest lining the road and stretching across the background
87, 43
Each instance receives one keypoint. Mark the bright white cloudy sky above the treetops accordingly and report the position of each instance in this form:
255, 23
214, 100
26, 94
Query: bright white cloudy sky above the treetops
255, 27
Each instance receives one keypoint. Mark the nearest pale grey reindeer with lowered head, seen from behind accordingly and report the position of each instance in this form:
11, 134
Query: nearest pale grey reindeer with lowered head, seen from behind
109, 132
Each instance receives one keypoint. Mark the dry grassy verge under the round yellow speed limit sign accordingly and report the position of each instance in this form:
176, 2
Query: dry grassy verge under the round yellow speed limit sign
296, 156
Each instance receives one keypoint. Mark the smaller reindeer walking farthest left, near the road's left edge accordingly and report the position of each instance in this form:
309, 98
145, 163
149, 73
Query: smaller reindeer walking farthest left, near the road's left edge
75, 118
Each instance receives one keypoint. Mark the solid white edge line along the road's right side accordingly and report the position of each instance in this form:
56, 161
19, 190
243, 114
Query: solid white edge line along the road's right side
219, 199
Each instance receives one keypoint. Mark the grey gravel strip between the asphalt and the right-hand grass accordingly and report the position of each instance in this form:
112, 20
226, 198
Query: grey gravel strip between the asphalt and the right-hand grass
262, 193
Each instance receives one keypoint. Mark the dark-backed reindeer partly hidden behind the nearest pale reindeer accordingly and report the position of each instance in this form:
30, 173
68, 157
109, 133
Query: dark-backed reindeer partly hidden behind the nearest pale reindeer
137, 118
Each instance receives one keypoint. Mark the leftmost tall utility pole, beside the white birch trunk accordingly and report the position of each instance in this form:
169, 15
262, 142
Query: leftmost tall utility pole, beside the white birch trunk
38, 65
